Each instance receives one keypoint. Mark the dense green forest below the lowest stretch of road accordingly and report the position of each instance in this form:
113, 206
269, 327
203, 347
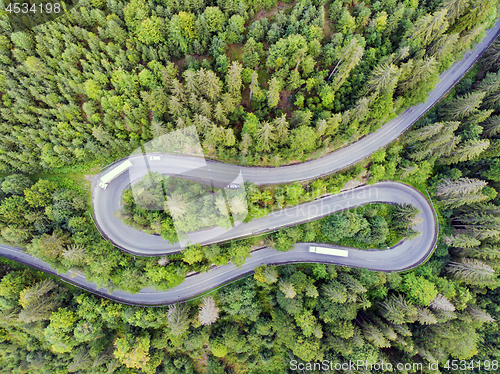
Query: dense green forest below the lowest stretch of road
258, 325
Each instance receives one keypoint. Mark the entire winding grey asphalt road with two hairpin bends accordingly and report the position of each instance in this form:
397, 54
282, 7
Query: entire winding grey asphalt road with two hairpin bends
406, 255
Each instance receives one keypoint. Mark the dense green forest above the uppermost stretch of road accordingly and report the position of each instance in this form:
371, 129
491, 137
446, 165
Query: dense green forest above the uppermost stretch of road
261, 88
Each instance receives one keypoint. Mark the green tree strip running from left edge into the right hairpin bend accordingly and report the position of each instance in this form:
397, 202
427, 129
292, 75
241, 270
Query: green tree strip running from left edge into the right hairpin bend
50, 219
